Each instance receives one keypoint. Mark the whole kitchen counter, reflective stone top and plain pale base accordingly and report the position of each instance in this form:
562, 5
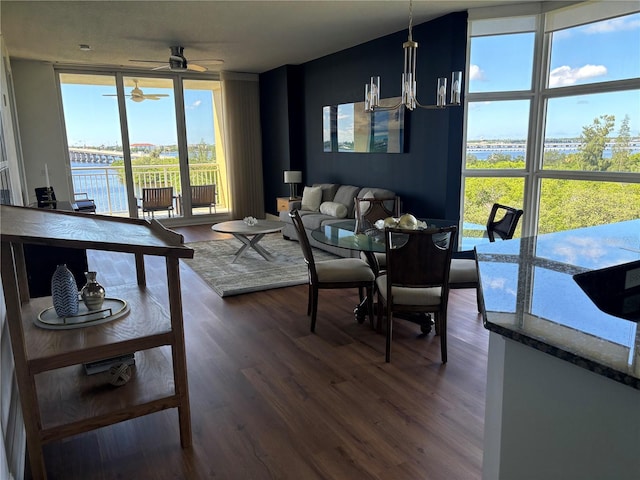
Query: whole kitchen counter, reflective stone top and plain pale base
563, 376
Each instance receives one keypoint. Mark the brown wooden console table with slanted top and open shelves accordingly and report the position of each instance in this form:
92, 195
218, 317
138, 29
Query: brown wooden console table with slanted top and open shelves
48, 357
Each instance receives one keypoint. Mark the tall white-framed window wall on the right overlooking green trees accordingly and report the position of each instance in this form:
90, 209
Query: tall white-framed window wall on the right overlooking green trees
553, 118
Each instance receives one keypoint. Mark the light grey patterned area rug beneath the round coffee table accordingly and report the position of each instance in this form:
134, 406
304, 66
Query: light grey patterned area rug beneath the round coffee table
251, 273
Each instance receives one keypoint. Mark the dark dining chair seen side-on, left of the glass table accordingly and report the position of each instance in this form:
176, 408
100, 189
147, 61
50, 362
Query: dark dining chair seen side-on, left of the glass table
332, 274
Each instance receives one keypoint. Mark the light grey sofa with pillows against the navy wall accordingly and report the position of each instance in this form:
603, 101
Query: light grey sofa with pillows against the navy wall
336, 205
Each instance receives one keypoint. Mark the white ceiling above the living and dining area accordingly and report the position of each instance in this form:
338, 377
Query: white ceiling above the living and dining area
250, 36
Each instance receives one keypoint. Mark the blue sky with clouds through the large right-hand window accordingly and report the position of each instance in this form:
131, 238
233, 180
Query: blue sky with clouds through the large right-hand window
599, 52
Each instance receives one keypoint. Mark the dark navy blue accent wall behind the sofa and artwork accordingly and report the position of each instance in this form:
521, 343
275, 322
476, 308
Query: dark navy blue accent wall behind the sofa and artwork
427, 176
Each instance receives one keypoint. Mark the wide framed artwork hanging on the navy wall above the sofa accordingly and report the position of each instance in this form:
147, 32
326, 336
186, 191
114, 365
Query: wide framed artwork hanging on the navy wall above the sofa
348, 128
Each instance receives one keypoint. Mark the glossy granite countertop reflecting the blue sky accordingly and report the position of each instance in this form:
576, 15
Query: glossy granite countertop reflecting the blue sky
531, 297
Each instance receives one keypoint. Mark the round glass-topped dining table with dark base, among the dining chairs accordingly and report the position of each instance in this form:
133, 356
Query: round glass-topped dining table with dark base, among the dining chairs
343, 235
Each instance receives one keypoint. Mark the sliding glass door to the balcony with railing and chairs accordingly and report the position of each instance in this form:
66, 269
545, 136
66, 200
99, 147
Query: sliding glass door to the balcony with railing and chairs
129, 134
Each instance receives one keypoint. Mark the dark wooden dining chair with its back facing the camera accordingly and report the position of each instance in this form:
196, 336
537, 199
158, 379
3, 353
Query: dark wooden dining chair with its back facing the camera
417, 278
